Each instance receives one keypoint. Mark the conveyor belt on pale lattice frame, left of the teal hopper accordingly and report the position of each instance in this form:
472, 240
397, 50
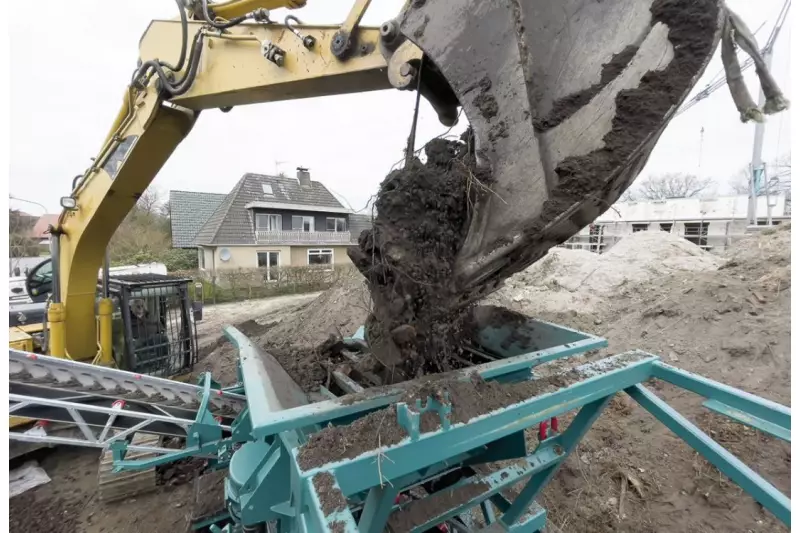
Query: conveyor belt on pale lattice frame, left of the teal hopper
105, 404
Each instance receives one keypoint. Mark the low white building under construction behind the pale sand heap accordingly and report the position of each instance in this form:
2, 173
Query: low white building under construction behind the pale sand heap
711, 223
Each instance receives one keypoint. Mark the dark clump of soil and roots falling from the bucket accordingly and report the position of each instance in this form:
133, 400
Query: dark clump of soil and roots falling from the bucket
423, 214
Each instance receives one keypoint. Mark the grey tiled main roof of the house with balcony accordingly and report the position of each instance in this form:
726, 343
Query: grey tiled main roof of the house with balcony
232, 223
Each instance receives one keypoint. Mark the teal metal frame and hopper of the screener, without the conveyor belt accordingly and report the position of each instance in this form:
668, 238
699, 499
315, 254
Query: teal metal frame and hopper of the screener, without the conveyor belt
266, 483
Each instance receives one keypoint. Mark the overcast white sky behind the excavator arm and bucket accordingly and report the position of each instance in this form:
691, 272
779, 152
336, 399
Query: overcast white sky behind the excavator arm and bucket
66, 89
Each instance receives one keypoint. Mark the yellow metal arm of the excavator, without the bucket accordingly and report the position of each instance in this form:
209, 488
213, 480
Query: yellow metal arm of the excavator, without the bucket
232, 70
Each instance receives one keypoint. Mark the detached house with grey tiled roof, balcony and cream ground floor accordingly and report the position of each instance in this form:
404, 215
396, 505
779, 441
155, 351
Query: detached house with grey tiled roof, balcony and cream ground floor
266, 222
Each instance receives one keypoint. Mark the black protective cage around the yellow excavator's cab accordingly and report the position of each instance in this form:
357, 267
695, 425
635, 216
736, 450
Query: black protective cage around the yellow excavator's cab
154, 312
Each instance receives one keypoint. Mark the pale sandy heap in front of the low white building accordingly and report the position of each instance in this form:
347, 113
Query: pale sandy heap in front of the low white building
568, 280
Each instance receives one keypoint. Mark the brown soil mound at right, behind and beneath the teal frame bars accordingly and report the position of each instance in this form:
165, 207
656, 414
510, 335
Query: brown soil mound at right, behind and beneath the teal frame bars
731, 325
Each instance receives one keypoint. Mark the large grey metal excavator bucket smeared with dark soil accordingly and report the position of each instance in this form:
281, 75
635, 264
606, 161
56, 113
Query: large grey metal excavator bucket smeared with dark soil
566, 99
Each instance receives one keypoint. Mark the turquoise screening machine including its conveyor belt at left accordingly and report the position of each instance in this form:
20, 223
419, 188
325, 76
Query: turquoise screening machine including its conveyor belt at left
434, 455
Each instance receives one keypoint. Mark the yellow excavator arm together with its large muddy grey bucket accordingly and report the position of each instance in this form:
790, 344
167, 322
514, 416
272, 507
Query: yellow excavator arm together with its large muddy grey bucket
567, 100
